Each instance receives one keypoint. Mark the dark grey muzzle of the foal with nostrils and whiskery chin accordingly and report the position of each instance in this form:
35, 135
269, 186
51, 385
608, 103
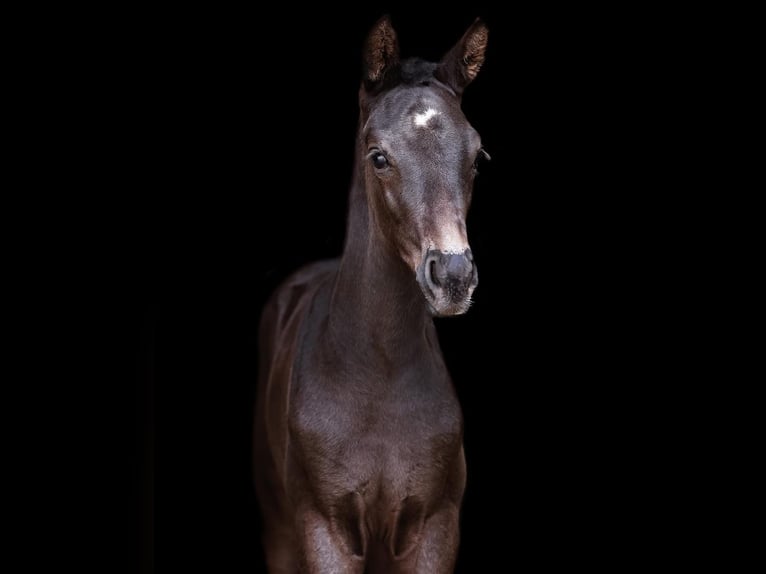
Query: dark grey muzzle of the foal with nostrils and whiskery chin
447, 281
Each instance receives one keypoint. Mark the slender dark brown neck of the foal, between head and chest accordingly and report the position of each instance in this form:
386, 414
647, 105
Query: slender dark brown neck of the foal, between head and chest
376, 303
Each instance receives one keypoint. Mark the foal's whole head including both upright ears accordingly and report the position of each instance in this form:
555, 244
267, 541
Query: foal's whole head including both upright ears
421, 156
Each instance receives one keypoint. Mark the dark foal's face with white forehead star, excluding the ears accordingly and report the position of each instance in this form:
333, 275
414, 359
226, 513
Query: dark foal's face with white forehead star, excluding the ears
421, 160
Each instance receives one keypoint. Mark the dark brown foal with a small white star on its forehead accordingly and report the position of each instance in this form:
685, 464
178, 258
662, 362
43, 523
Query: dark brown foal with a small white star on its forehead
359, 461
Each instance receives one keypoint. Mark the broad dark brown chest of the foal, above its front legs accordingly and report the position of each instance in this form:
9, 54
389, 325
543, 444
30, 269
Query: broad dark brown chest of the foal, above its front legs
355, 441
